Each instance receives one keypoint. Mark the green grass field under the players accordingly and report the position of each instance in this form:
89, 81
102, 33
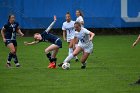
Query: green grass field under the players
110, 69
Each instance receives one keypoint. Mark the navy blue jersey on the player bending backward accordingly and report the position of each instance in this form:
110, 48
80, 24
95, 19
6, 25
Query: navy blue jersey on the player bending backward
48, 37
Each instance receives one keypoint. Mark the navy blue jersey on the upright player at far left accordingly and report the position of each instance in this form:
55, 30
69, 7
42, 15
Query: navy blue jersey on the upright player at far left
10, 33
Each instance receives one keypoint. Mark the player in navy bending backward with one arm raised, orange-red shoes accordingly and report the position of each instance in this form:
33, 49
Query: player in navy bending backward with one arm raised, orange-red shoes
54, 47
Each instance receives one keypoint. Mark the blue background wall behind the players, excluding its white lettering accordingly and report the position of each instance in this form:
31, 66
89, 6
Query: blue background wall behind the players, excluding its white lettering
32, 14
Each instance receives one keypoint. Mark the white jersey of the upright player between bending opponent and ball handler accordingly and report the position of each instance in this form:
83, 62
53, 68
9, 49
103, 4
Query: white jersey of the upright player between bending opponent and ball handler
69, 28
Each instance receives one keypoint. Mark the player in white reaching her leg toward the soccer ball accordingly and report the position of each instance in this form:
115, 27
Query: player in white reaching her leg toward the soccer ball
85, 44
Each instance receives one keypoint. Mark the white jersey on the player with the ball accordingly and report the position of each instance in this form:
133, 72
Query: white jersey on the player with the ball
83, 37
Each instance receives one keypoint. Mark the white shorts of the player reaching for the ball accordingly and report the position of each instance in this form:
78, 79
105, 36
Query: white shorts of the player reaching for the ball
87, 48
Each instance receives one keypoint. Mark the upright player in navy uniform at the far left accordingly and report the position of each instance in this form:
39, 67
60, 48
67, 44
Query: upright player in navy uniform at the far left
8, 33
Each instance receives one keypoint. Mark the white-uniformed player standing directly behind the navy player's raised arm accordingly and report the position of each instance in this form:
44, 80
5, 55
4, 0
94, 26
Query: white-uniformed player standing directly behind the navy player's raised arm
68, 33
